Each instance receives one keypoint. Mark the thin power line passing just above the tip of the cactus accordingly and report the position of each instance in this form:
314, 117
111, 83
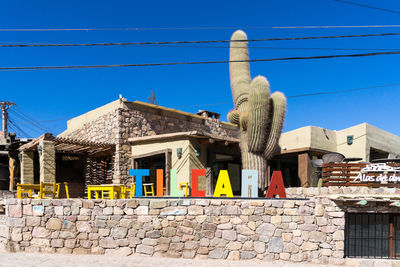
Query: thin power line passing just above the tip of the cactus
200, 28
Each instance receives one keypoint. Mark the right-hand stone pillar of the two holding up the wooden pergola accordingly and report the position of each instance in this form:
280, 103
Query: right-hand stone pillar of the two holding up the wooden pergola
47, 161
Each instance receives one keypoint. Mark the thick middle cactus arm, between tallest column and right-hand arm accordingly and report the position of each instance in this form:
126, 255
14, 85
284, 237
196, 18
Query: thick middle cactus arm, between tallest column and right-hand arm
258, 114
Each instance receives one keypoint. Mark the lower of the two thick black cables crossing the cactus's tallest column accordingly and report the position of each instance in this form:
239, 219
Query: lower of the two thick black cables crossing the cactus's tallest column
190, 63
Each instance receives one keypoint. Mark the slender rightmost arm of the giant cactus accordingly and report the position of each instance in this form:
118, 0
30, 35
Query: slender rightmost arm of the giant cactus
277, 113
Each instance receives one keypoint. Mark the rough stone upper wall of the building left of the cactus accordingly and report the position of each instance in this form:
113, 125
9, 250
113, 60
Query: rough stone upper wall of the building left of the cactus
136, 120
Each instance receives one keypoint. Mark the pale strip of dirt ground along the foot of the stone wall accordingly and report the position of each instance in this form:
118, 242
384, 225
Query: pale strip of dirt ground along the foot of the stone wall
55, 260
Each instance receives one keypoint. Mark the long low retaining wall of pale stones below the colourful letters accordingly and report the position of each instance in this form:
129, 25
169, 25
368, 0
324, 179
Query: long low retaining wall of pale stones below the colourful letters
297, 230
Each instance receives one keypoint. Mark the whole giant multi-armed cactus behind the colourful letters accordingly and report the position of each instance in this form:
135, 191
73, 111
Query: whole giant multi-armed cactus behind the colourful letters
259, 115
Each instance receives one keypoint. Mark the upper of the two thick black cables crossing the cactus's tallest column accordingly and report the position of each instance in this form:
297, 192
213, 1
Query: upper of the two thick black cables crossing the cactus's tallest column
201, 42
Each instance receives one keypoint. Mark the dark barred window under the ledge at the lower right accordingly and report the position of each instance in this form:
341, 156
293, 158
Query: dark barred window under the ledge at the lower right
372, 235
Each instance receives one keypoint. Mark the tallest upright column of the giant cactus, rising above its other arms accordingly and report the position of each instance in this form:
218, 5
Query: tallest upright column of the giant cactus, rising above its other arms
239, 71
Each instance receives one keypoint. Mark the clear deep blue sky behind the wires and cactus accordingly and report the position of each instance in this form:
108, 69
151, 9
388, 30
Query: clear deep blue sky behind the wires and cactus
57, 94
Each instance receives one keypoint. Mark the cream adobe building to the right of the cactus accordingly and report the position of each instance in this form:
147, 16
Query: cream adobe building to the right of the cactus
300, 146
